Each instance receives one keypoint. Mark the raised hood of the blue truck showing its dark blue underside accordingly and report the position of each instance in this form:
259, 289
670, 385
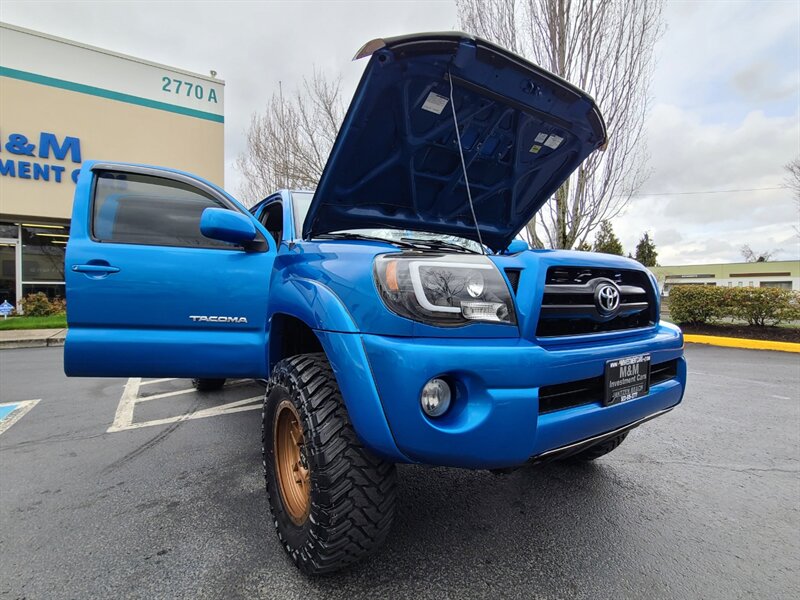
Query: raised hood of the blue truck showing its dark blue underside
396, 164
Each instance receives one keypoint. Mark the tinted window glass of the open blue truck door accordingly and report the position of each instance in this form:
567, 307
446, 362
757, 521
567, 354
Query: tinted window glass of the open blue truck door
141, 209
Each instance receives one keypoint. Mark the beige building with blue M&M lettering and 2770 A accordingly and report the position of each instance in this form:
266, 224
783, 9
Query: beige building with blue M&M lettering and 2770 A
61, 103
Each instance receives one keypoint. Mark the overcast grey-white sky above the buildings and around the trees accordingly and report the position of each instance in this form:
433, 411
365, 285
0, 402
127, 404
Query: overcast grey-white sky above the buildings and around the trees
725, 113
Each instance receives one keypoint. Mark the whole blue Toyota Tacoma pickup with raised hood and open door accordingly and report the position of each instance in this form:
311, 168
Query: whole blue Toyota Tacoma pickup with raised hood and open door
393, 313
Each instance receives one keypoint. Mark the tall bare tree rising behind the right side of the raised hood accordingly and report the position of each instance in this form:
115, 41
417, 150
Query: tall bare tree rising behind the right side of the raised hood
606, 48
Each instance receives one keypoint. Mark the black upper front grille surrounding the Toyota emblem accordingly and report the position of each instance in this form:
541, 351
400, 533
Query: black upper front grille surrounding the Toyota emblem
569, 307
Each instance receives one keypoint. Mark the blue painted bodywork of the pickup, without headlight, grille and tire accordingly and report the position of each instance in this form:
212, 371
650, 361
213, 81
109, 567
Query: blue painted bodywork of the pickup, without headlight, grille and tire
392, 166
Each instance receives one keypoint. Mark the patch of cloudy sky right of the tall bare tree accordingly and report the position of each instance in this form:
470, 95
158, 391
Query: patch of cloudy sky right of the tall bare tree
725, 117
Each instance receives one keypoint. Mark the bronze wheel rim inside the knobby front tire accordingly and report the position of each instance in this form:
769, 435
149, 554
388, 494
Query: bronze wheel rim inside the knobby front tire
291, 463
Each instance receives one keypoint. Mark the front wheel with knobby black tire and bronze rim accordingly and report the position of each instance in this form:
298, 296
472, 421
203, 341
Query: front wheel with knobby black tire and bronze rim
332, 500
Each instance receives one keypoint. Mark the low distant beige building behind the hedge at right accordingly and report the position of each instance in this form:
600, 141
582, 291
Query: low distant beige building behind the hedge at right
780, 274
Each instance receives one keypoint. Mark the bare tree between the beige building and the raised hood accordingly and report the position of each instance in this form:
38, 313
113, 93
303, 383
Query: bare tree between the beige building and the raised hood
288, 144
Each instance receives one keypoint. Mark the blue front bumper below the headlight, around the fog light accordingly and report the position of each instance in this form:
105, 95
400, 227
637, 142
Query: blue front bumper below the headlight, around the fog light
494, 420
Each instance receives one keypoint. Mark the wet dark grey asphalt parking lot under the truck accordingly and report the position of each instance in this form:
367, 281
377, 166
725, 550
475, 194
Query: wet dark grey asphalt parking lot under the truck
701, 503
